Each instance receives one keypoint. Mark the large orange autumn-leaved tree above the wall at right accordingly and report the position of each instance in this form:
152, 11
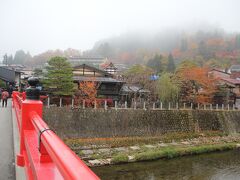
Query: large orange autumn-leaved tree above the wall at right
196, 85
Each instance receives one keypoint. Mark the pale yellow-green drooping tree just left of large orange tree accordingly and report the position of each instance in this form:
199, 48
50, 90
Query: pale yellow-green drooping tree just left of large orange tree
167, 88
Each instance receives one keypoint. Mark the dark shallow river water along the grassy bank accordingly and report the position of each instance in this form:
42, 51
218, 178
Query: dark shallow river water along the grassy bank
214, 166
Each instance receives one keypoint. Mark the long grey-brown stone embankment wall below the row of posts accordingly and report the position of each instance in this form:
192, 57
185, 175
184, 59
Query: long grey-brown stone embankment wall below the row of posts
86, 123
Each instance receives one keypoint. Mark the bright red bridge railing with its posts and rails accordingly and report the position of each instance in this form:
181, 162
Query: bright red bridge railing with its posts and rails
43, 154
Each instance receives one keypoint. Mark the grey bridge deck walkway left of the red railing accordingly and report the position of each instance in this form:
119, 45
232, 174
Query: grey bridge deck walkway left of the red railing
7, 170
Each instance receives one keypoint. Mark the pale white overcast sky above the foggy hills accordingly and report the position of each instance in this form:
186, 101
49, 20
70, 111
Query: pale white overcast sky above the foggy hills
39, 25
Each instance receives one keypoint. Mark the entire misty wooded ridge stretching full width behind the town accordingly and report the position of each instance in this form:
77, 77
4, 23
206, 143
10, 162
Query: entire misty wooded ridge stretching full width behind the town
207, 45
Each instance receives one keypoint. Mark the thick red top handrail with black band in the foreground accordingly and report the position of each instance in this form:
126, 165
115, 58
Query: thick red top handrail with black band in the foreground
66, 161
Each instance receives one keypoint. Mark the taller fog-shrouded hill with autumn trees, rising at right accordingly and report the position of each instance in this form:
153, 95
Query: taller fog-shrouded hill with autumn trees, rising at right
205, 42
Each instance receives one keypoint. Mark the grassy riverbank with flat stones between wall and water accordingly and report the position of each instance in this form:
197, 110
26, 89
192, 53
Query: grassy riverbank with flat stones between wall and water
105, 151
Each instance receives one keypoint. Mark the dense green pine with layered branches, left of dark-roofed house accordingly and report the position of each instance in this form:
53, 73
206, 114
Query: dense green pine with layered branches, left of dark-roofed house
59, 76
